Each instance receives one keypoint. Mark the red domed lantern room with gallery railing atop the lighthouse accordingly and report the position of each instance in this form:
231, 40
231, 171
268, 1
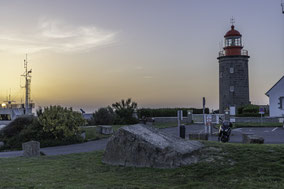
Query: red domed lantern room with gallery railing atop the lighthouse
233, 44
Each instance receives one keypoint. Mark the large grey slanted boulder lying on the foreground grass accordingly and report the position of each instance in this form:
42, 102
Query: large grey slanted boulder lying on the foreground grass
145, 146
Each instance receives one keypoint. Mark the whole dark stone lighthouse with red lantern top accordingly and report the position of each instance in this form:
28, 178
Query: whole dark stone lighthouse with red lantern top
233, 72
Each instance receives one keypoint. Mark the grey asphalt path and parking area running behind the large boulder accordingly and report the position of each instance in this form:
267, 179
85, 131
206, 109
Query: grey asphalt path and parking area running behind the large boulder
271, 135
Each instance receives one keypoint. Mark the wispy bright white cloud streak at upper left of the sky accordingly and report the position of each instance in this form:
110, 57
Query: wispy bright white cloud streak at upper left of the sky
56, 36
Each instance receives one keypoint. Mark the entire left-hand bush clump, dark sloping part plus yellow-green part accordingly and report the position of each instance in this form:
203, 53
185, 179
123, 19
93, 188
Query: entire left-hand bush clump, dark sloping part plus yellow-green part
54, 126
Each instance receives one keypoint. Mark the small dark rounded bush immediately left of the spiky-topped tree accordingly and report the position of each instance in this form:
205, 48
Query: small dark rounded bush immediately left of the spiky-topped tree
104, 116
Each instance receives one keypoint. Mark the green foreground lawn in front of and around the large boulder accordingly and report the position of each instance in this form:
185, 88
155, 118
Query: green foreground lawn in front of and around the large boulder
223, 166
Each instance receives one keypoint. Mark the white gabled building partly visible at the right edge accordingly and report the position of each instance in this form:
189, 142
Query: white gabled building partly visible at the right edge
276, 99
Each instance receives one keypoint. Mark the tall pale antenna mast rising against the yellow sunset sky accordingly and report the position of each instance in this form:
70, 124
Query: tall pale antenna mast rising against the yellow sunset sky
27, 86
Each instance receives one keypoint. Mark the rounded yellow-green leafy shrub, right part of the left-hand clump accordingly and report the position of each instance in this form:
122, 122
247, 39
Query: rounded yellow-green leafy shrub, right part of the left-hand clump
60, 123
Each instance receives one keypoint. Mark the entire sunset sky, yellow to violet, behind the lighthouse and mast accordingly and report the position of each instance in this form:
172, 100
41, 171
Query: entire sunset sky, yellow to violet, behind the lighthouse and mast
161, 53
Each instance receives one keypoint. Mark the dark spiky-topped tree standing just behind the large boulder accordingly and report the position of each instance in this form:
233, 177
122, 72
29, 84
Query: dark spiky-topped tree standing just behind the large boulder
125, 110
